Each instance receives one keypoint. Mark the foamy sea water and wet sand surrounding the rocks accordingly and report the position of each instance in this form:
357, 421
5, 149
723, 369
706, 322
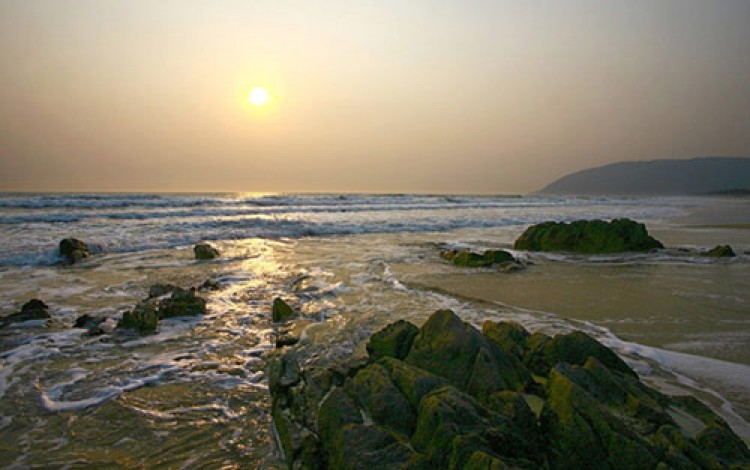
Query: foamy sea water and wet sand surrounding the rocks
194, 395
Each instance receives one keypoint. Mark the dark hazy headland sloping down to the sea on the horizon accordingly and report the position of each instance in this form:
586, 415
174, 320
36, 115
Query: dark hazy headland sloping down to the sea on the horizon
707, 175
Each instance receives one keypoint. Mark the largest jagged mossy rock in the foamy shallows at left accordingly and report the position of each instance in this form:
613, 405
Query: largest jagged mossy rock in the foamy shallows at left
164, 301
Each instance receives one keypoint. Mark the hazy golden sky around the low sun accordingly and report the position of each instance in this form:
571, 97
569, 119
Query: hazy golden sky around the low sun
405, 96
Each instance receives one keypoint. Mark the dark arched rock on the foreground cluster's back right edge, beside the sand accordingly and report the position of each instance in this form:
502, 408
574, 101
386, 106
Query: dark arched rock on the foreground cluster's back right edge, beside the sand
573, 348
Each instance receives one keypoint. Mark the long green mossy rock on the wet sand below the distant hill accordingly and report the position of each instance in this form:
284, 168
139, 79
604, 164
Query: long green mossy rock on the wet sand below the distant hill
588, 236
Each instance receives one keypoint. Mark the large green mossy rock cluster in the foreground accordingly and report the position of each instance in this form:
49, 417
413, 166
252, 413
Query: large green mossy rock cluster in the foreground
449, 396
